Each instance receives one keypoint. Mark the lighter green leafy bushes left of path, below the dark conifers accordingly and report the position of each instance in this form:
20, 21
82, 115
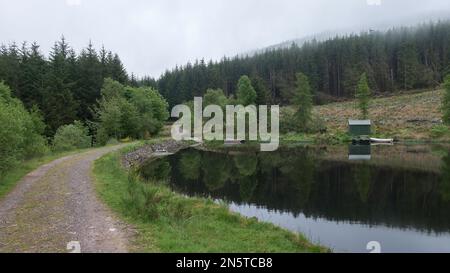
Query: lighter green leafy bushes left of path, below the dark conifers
121, 112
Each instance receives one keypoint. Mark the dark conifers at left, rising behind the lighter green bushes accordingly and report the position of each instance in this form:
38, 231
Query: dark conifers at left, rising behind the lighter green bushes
65, 86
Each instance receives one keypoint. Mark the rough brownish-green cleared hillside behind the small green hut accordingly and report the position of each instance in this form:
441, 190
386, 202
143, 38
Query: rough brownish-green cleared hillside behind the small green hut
414, 116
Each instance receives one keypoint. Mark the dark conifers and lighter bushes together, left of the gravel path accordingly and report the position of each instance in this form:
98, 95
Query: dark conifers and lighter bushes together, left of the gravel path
70, 101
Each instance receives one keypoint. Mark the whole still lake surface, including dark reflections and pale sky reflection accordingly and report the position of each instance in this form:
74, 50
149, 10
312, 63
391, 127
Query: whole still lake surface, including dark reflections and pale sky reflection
339, 197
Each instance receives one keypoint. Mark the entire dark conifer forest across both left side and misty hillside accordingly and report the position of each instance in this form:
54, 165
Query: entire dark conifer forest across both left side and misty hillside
66, 86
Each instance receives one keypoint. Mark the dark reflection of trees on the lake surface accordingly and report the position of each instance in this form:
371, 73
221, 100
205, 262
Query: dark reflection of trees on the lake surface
301, 181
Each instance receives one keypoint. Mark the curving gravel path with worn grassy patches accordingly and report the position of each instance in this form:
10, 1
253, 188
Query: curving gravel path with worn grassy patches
56, 205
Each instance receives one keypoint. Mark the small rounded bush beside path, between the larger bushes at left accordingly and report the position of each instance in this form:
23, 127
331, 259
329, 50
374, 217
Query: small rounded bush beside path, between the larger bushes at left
71, 137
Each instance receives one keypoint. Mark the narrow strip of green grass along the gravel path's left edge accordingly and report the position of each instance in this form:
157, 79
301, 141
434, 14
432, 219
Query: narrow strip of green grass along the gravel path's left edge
9, 179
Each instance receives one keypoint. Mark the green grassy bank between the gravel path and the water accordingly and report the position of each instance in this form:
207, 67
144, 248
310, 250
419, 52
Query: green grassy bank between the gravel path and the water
169, 222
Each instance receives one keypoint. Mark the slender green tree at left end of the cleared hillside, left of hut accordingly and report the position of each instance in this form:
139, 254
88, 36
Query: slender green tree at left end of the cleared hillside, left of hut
302, 99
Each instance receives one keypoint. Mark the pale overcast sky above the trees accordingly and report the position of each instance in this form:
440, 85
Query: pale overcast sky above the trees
154, 35
